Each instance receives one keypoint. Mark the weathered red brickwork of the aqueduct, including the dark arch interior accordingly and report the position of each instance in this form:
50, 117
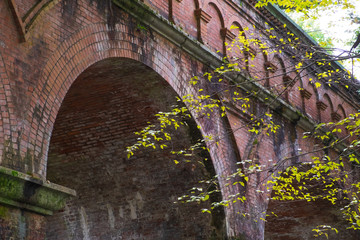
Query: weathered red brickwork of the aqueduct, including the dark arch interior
44, 64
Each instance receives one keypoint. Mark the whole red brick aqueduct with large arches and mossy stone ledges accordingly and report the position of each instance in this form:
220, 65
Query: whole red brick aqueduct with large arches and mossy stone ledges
79, 76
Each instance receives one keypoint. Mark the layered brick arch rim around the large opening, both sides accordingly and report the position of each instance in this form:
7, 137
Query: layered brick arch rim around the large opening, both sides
91, 45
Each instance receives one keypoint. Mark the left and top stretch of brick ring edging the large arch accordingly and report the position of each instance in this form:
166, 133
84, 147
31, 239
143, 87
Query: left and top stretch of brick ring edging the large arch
74, 56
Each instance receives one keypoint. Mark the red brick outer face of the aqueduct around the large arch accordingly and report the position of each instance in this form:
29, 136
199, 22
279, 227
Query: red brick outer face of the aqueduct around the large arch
66, 37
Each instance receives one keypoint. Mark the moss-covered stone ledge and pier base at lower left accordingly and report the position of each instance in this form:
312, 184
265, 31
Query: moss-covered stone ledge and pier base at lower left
24, 203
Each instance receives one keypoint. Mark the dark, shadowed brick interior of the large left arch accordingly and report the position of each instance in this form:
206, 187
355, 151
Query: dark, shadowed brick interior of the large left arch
117, 197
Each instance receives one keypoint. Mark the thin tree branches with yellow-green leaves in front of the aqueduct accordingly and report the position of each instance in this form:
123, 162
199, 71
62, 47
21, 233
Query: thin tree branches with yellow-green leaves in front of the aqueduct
336, 171
